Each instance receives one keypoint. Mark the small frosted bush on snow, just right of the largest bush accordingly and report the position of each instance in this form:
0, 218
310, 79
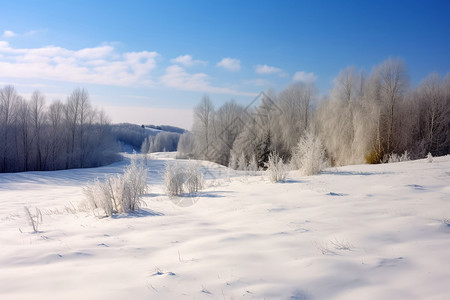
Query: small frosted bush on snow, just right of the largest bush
179, 180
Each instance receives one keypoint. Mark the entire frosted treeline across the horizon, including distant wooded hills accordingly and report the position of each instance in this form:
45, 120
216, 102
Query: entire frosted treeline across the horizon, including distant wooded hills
363, 119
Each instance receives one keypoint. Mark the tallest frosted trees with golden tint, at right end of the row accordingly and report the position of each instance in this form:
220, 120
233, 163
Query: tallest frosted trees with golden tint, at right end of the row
370, 118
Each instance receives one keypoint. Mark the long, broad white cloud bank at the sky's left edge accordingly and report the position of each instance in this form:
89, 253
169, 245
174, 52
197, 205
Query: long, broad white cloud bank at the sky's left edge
98, 65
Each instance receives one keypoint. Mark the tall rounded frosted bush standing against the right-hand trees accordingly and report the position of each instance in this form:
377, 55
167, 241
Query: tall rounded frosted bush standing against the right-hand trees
309, 155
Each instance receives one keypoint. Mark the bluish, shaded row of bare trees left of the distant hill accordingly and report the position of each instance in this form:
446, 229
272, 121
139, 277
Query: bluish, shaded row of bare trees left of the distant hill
62, 135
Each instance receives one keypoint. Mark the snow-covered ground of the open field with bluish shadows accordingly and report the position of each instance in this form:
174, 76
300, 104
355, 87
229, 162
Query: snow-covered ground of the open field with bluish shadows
356, 232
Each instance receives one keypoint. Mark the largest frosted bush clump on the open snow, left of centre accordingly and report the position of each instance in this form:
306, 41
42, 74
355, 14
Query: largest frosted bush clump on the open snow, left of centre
118, 193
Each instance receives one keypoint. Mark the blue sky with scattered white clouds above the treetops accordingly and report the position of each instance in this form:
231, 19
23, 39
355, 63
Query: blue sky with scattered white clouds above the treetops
152, 61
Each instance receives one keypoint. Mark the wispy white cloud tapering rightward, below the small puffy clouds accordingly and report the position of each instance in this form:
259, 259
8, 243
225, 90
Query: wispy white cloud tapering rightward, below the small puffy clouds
177, 77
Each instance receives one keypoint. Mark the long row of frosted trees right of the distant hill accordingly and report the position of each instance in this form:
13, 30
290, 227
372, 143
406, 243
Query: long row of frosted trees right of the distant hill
365, 118
